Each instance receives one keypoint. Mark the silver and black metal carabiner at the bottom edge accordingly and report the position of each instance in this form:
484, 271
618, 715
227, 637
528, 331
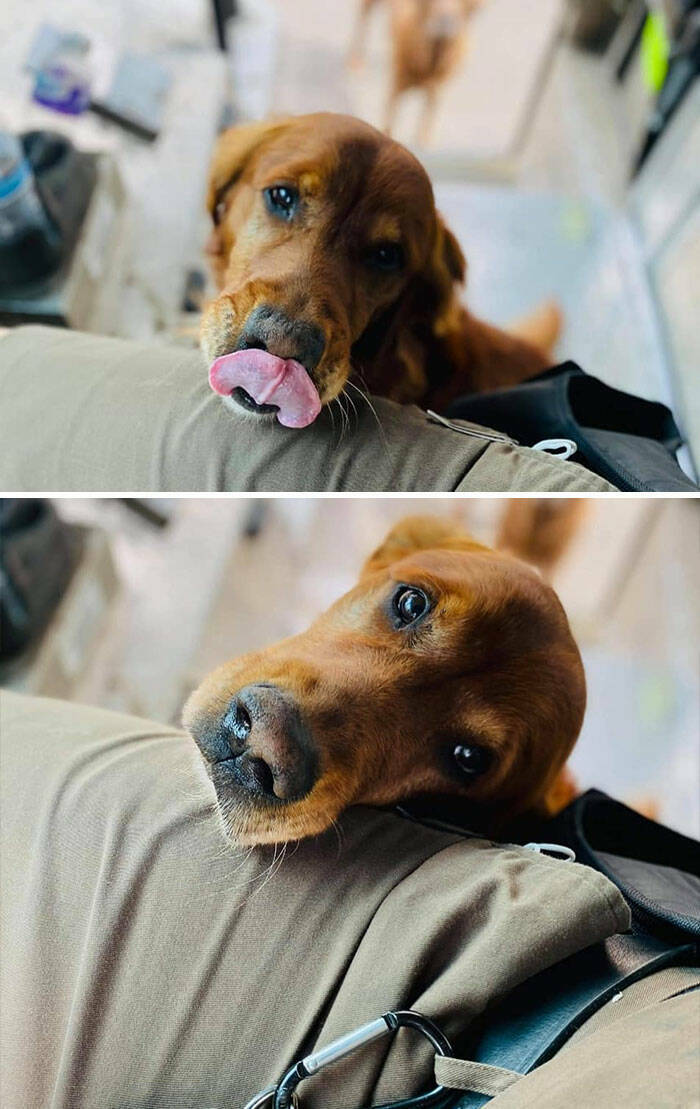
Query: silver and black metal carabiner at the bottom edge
339, 1050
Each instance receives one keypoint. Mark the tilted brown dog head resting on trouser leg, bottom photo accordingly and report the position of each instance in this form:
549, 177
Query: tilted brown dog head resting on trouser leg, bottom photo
449, 670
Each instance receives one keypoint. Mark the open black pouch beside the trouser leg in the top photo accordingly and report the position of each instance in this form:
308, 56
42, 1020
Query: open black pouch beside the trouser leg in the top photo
625, 440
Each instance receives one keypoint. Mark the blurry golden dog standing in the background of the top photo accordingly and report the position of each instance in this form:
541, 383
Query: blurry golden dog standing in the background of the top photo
429, 43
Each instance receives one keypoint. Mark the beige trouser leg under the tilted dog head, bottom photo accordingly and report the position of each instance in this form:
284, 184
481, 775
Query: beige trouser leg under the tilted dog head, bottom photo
147, 964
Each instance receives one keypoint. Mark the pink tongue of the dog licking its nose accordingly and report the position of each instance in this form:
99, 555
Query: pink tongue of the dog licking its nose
269, 381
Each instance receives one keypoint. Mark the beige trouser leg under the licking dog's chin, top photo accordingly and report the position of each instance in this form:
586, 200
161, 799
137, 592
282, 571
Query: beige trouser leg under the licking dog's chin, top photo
87, 413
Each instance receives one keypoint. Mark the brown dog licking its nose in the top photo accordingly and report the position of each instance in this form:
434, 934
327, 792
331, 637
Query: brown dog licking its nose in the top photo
334, 268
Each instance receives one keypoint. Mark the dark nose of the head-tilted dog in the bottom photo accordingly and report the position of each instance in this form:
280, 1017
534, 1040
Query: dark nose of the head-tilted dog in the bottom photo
270, 744
